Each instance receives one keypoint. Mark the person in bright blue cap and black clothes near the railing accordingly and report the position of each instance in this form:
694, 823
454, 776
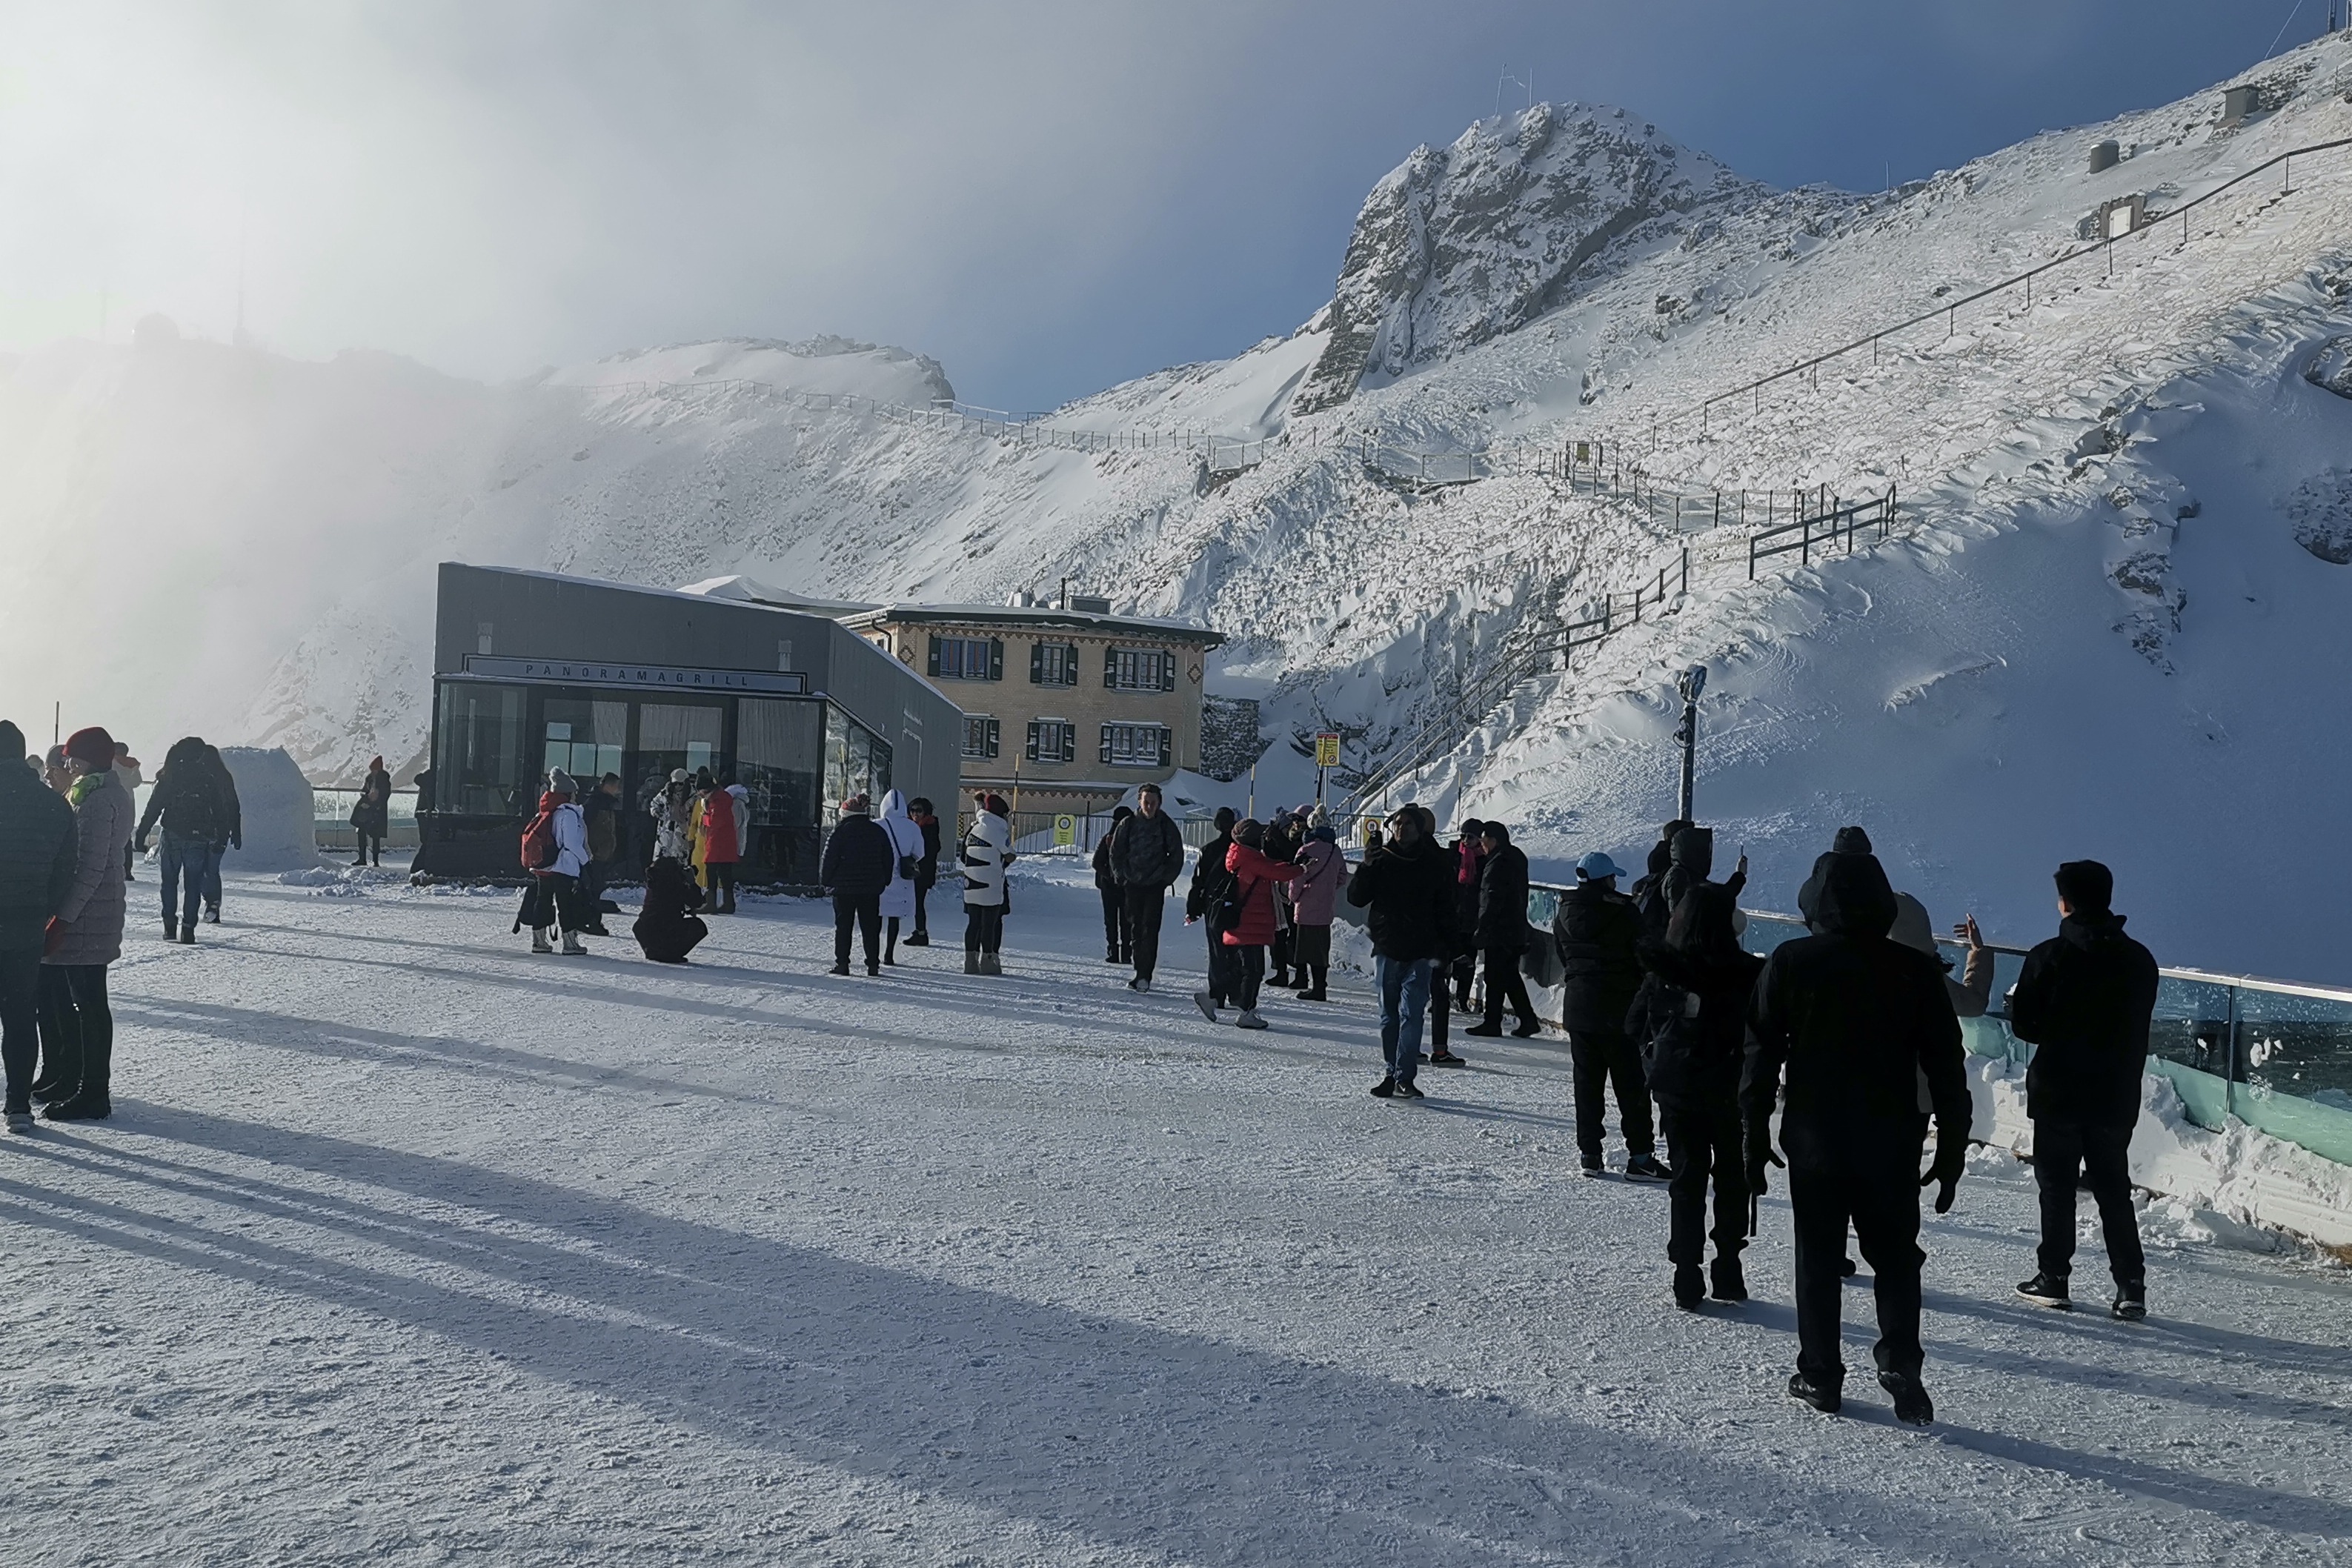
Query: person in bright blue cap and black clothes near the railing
1601, 934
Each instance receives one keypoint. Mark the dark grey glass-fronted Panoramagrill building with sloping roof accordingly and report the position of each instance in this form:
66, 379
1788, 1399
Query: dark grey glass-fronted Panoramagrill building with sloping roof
537, 671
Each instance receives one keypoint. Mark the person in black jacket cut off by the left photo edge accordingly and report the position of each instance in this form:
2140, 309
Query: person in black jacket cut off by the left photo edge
39, 855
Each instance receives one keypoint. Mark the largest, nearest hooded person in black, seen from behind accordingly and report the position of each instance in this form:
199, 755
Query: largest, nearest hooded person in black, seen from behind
1857, 1021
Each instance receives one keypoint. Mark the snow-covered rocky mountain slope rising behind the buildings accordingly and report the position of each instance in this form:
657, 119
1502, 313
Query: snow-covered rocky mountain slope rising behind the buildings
2116, 622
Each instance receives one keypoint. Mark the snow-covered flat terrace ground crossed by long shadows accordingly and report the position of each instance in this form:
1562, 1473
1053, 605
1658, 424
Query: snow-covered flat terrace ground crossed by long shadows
408, 1247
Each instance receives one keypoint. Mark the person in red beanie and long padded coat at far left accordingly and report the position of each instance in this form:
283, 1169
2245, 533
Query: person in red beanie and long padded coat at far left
86, 937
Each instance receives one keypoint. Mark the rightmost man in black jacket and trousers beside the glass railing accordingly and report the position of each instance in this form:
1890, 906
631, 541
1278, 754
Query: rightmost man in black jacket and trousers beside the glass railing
2085, 1003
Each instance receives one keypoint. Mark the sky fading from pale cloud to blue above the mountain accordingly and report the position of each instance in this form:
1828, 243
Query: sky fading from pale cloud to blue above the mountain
1045, 196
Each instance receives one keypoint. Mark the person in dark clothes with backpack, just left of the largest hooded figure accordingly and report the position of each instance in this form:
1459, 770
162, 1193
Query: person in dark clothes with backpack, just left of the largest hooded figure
1690, 1024
